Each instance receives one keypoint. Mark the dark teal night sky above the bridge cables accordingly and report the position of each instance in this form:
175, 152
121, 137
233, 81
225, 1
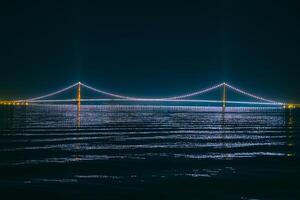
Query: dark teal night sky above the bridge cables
150, 49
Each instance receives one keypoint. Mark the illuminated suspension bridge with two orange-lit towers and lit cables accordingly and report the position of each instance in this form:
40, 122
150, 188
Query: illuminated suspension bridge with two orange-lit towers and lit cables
185, 98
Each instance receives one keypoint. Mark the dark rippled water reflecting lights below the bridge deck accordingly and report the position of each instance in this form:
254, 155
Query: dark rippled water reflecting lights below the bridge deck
111, 152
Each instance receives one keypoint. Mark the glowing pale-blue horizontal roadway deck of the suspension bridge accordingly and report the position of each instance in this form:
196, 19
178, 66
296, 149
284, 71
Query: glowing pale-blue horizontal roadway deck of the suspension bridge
158, 100
